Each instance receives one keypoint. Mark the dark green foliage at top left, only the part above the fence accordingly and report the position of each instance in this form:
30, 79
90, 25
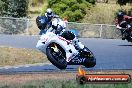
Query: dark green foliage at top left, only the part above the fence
14, 8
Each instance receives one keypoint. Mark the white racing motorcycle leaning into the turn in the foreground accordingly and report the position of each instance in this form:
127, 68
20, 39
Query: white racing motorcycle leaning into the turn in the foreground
61, 51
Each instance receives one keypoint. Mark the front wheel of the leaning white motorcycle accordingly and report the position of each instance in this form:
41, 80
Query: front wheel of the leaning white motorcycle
56, 55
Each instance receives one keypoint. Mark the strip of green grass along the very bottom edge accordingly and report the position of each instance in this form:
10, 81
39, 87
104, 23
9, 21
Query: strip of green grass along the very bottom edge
64, 84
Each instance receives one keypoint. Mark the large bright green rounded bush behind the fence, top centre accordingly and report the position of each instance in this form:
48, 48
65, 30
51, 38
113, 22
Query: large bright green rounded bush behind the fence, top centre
74, 10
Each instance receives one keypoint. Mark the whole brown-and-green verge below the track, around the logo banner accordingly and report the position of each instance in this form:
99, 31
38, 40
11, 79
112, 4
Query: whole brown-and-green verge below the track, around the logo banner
52, 80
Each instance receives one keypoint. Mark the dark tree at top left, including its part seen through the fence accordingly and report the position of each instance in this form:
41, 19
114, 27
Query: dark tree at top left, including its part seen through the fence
13, 8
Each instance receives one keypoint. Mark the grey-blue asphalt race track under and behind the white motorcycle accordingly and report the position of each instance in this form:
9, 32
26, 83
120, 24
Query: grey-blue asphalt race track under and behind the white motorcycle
110, 54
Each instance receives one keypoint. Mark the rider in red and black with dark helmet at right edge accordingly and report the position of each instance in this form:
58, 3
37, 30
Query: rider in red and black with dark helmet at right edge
123, 21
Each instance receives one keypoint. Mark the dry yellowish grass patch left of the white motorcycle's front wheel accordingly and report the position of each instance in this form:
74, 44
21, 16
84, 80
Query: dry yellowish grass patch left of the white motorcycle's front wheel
16, 56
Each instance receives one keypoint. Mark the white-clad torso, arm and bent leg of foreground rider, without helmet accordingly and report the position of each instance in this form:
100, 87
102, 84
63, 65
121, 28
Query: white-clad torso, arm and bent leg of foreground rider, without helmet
60, 27
